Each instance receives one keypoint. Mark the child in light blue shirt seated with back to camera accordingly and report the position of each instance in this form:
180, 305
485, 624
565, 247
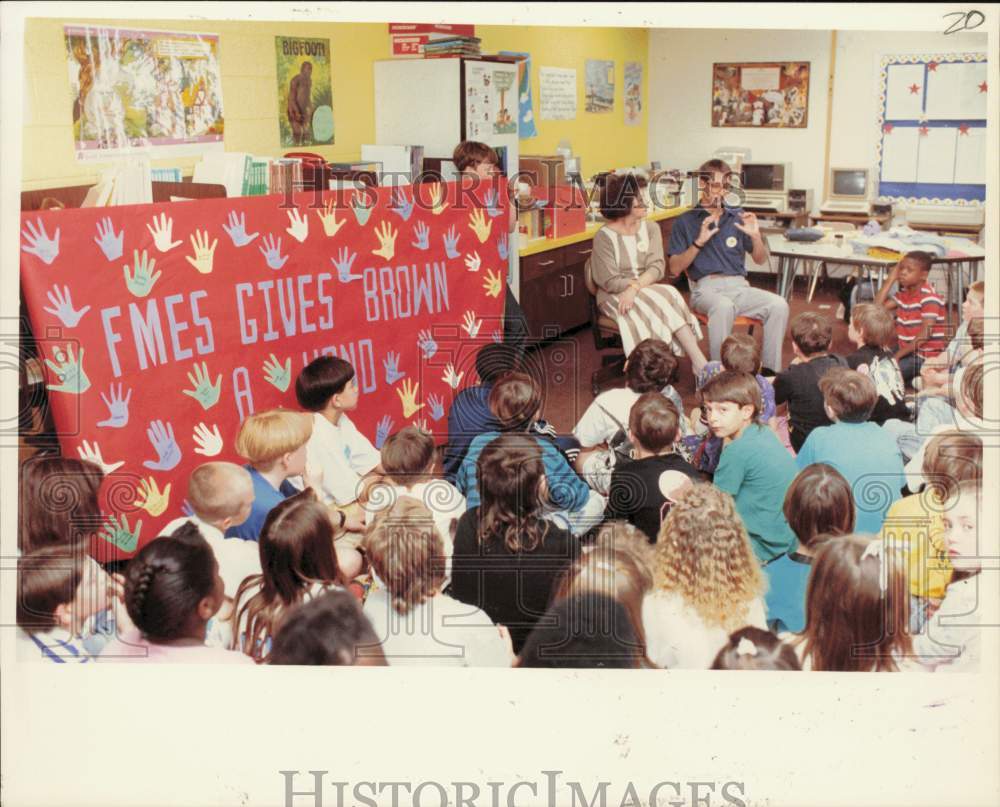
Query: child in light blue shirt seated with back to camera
862, 451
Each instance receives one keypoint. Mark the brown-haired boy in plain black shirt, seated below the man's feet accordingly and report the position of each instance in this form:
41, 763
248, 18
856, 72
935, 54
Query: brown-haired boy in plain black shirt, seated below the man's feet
798, 386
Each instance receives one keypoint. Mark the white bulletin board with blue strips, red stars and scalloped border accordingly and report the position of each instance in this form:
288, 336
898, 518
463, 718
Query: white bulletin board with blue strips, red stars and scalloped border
932, 128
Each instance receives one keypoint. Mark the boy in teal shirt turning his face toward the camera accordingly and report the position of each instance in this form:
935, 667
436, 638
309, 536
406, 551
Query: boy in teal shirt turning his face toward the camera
754, 468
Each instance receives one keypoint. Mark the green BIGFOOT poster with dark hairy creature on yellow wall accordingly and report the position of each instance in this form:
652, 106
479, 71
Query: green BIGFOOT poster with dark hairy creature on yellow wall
305, 96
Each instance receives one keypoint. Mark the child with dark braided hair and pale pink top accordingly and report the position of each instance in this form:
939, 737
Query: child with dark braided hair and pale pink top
172, 590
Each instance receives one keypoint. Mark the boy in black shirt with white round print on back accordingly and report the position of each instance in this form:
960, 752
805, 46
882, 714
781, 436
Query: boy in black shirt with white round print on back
642, 491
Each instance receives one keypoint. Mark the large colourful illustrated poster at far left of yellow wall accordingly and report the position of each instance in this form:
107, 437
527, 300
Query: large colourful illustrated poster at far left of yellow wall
151, 92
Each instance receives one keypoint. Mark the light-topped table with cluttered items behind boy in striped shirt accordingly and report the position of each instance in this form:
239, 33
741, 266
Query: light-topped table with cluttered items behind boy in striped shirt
960, 272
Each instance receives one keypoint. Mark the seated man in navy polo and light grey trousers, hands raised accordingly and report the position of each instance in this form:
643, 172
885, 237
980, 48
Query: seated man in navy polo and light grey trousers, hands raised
709, 242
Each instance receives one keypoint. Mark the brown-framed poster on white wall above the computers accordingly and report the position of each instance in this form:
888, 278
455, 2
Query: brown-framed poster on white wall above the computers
765, 94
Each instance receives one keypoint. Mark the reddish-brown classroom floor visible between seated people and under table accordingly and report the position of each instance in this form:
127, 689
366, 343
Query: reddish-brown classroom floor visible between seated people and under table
569, 362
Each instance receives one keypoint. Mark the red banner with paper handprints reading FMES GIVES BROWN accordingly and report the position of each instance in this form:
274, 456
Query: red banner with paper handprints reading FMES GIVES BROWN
163, 326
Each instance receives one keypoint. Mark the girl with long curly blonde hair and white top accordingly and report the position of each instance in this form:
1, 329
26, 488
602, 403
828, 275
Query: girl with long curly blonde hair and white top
706, 582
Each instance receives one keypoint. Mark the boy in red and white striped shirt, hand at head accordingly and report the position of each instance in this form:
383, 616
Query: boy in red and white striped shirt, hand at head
920, 320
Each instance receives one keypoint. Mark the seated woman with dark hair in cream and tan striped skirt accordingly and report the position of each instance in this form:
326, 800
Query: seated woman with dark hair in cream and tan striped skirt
627, 265
